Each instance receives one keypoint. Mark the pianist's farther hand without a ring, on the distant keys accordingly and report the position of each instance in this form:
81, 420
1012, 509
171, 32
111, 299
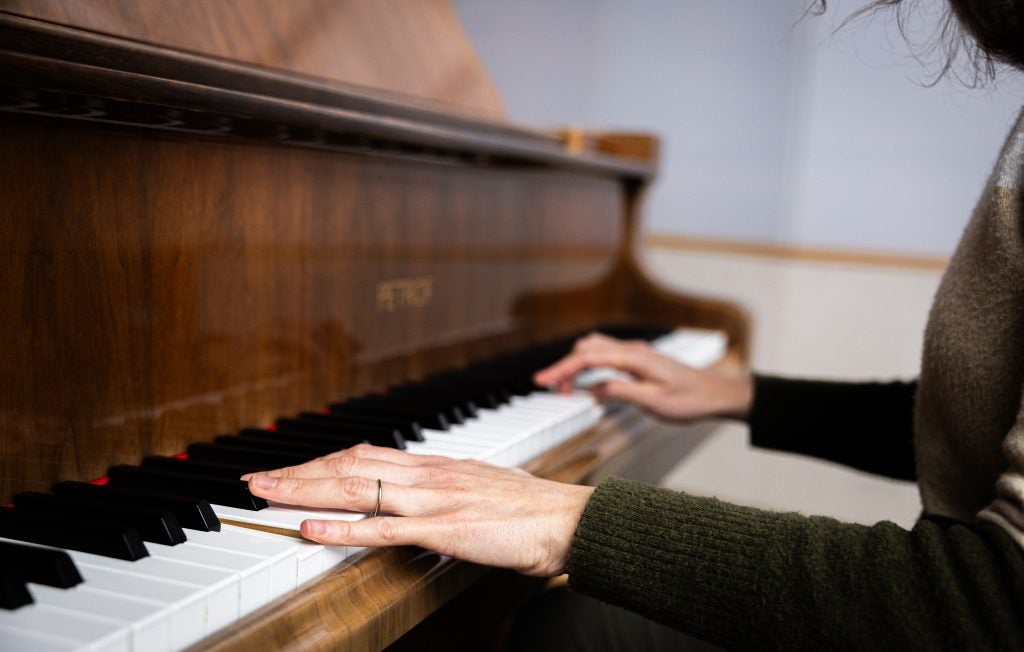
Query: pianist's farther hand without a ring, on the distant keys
659, 384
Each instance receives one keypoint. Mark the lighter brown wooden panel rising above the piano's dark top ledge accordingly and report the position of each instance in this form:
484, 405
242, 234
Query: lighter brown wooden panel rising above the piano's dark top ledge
414, 50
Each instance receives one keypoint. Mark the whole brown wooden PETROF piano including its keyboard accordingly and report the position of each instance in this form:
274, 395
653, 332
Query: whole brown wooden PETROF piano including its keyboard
224, 214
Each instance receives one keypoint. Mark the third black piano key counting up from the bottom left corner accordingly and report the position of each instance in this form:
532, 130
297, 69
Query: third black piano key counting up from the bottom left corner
73, 533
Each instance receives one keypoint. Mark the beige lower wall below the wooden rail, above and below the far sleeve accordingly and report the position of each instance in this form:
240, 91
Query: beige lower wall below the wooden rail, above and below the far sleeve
812, 319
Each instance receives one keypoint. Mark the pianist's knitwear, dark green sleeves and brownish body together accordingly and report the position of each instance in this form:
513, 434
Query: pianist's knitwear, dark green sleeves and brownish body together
750, 579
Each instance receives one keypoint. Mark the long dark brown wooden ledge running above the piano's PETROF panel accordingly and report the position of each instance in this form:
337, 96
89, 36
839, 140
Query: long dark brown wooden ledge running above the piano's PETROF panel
65, 72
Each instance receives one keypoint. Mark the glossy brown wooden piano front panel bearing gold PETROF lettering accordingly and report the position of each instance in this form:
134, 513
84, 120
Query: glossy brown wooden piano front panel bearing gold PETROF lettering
155, 299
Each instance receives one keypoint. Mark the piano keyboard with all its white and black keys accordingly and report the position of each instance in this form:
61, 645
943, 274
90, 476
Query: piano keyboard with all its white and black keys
178, 594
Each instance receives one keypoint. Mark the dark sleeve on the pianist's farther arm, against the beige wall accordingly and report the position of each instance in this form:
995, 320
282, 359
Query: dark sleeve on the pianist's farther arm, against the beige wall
867, 426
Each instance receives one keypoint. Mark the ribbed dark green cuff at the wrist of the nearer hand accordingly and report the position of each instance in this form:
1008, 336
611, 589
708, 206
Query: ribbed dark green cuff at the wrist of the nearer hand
686, 561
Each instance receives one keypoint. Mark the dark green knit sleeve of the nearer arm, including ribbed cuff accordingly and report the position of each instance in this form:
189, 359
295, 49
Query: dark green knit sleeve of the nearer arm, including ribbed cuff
748, 579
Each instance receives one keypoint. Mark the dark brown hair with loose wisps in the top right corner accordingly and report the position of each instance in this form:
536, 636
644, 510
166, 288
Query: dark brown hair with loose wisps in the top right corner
979, 33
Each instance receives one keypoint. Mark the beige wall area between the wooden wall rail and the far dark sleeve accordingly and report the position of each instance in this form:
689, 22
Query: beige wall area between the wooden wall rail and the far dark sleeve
815, 319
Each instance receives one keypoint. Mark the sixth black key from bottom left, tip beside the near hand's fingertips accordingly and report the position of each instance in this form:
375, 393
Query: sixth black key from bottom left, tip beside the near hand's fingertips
217, 491
